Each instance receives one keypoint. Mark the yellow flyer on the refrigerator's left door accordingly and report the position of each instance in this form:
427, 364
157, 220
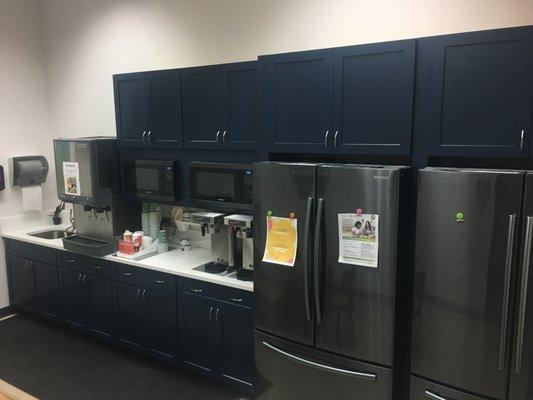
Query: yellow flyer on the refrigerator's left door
282, 241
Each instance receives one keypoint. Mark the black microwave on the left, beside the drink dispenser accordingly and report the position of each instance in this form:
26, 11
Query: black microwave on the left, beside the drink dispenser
151, 180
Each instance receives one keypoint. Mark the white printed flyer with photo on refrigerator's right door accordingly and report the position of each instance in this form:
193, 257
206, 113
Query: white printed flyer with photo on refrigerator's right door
359, 239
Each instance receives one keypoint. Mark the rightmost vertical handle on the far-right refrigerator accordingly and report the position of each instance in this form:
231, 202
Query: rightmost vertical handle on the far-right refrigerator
523, 296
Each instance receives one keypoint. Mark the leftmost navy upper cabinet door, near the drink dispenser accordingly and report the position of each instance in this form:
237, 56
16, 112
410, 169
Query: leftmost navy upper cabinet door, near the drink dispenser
130, 109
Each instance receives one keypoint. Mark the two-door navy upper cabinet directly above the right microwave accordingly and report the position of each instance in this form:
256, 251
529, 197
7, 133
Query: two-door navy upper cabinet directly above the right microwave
220, 106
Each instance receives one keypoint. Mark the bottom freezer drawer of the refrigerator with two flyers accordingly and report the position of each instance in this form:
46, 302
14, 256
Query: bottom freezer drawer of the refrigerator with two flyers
287, 371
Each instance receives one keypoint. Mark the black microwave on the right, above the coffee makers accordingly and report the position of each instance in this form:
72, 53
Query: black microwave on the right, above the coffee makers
221, 184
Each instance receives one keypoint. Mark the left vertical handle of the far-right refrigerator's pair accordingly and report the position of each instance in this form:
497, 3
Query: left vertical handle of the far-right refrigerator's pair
506, 291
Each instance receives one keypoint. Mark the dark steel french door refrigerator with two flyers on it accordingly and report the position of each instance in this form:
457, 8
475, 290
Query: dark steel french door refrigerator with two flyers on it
326, 329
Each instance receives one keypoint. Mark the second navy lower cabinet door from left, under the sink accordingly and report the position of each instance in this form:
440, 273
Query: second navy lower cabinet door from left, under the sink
48, 296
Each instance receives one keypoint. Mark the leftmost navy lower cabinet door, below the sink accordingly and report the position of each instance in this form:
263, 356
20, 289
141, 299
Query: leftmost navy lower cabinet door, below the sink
21, 282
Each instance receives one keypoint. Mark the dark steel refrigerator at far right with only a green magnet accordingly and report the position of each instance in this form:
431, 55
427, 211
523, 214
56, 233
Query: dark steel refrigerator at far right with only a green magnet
472, 318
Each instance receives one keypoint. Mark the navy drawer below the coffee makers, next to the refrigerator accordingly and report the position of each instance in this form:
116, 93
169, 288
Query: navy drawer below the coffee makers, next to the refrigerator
217, 292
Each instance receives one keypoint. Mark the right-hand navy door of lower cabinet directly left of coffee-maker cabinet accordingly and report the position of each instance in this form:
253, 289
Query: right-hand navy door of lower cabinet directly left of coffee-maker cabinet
161, 323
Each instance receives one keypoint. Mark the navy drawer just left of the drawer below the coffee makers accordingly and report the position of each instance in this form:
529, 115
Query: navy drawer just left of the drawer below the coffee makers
143, 277
